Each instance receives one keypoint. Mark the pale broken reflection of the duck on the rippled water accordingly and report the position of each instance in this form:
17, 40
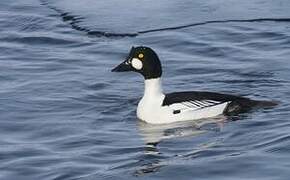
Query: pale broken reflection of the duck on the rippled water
153, 134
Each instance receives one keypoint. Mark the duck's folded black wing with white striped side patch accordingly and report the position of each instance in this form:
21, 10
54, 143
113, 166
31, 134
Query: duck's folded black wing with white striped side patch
184, 101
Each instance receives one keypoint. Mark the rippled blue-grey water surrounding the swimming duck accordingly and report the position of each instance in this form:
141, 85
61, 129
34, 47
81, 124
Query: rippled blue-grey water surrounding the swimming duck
64, 115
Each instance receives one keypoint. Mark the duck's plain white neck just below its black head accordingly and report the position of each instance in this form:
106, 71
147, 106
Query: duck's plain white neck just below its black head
153, 88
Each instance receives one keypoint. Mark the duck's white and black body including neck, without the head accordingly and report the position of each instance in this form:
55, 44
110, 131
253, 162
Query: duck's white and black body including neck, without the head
157, 108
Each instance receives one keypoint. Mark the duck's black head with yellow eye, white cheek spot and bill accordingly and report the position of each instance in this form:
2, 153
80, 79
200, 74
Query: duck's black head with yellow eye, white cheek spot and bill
142, 60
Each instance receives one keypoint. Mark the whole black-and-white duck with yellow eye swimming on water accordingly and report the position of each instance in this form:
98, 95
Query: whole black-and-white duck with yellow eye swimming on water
156, 107
